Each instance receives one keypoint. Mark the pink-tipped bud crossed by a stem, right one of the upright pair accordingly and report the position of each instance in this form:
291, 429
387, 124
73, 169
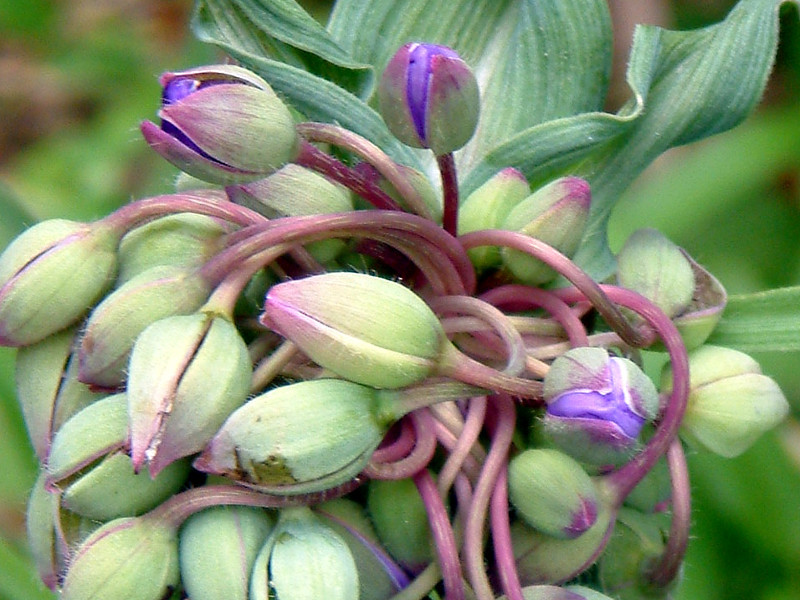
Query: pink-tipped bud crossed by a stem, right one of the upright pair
556, 214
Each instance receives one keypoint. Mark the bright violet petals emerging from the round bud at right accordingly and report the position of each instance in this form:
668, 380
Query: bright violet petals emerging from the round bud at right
612, 405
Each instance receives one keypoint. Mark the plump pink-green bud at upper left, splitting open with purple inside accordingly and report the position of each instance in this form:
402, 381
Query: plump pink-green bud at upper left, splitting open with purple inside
222, 124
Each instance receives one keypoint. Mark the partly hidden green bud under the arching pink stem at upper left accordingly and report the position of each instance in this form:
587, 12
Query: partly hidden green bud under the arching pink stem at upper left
182, 240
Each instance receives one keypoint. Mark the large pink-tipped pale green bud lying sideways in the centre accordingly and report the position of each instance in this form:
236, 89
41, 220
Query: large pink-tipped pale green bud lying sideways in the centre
366, 329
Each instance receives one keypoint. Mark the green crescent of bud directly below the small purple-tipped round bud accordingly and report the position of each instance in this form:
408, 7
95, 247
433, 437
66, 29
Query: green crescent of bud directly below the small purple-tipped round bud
544, 559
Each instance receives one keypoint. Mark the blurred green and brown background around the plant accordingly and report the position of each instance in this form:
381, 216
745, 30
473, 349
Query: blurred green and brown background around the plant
77, 77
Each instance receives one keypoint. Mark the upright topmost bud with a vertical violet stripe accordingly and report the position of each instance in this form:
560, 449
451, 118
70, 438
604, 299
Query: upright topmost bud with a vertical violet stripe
429, 98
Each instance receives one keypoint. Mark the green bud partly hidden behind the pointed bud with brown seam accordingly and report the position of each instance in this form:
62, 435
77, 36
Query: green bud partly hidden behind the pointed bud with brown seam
114, 325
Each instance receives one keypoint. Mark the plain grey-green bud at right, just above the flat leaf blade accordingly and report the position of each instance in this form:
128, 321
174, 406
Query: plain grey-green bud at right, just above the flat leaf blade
650, 264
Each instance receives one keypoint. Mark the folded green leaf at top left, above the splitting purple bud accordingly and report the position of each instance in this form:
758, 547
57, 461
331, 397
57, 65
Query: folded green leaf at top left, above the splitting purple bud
282, 30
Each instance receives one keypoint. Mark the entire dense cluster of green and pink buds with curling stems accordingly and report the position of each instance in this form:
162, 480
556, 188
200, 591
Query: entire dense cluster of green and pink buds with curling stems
287, 380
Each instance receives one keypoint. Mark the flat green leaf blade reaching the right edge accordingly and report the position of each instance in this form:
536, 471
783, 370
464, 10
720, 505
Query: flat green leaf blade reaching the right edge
761, 322
